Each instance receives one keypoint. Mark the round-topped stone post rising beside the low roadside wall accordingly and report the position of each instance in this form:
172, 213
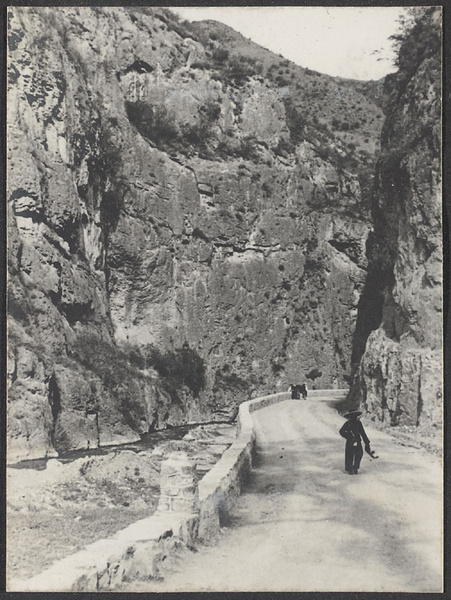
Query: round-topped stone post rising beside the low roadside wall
178, 485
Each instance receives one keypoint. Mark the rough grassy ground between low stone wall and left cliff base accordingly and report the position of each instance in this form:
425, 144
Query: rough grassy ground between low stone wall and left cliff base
59, 507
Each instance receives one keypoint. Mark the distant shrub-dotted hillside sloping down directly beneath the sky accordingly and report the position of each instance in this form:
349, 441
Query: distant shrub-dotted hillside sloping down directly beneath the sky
333, 110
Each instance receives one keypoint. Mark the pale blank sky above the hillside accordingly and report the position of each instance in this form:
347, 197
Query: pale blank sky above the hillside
338, 41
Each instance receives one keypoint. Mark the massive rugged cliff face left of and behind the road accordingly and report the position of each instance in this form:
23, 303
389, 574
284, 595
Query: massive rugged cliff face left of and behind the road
174, 248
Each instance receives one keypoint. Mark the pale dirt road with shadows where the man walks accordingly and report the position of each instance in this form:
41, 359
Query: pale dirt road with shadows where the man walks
303, 524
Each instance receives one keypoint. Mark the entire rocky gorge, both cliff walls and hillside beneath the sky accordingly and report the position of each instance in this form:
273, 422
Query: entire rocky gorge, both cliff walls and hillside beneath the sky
193, 221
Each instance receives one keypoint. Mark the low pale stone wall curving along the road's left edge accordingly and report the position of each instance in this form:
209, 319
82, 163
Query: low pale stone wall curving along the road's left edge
138, 551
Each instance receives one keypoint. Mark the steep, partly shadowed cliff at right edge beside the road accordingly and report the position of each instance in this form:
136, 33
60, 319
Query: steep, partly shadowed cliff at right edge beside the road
398, 373
